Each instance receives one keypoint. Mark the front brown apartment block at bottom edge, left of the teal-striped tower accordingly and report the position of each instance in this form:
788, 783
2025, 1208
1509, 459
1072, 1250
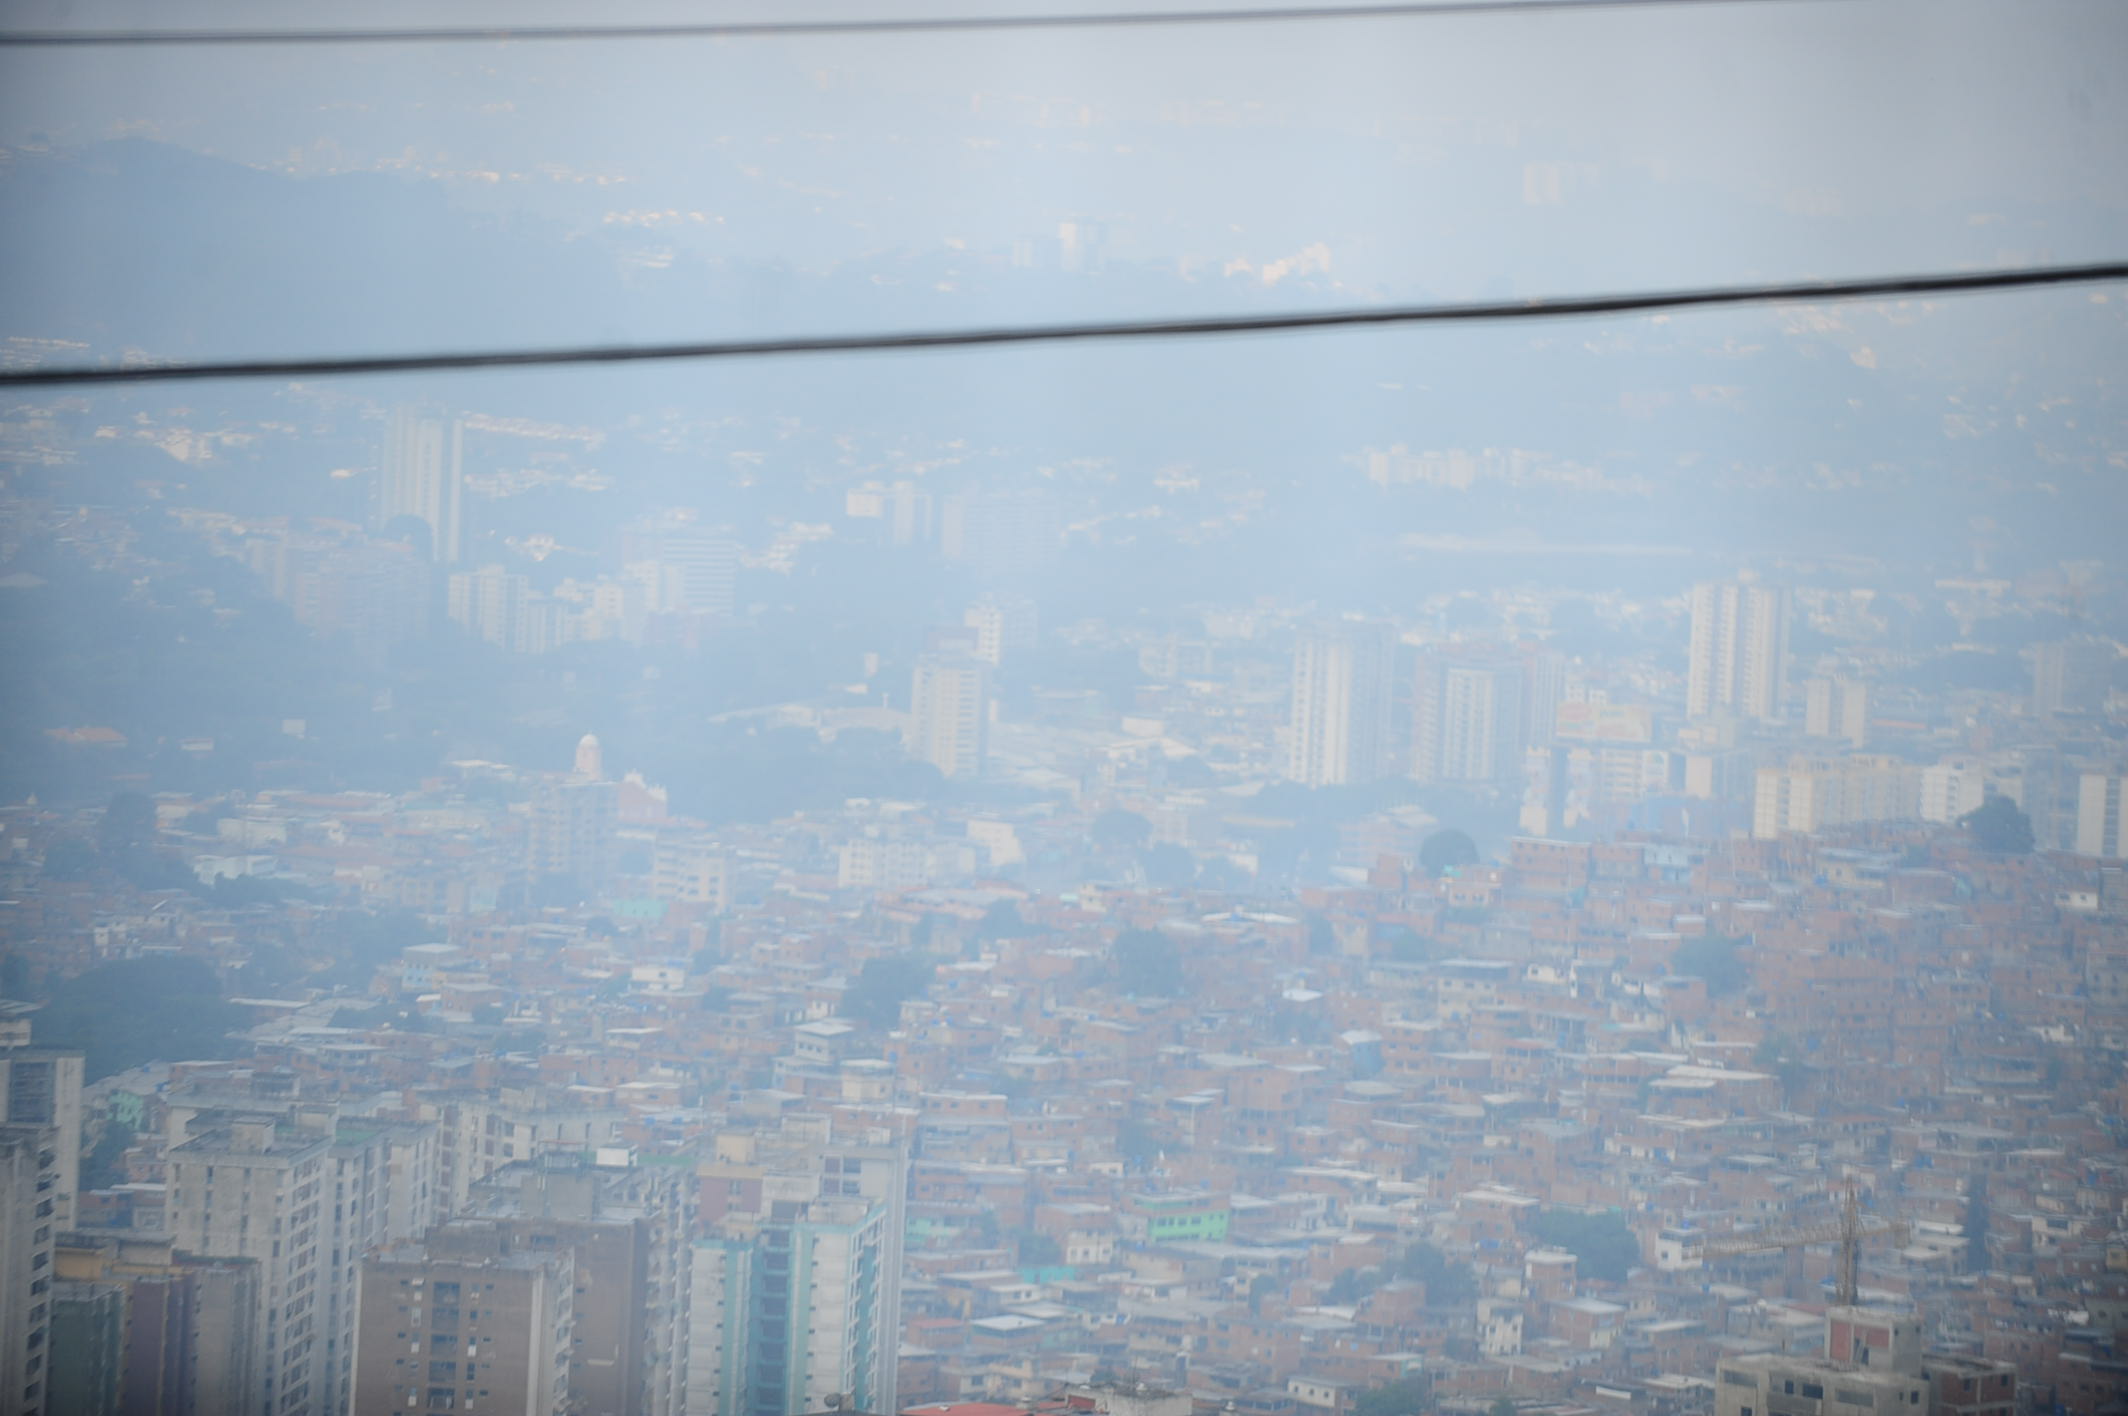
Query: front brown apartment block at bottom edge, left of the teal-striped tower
467, 1321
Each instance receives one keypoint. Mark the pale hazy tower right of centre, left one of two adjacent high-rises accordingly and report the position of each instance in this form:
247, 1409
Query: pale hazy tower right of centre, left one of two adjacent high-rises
1340, 729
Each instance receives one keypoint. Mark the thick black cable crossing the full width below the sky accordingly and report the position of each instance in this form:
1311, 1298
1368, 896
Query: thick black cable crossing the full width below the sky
1482, 312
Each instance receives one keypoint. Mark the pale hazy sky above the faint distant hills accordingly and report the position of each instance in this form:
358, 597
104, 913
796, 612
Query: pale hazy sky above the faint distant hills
1759, 139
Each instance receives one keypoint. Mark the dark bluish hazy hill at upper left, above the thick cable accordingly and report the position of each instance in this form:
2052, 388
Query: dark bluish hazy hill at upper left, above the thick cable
150, 246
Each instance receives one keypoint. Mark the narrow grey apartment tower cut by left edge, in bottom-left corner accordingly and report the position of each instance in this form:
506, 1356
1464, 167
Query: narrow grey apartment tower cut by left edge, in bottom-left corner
29, 1225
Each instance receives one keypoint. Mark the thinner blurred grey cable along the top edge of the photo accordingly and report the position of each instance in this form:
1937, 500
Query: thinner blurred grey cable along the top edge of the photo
761, 29
